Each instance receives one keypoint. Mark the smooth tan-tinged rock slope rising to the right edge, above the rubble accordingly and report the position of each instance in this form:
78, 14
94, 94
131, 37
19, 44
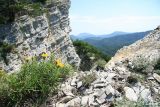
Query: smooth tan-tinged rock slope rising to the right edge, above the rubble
144, 52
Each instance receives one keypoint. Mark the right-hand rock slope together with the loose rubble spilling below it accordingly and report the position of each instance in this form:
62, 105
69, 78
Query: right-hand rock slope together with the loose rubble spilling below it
119, 82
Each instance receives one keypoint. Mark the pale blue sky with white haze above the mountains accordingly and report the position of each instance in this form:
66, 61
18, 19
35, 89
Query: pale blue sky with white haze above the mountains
106, 16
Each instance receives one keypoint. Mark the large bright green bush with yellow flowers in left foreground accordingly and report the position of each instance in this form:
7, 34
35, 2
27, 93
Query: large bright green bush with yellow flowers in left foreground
35, 82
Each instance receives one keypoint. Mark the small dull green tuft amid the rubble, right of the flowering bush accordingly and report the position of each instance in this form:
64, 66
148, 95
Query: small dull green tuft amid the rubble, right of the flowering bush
88, 79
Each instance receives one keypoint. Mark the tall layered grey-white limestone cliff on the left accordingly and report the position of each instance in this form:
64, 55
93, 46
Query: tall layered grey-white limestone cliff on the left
31, 36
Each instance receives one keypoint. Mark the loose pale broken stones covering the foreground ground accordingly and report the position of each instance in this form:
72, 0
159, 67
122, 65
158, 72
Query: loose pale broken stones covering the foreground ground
106, 88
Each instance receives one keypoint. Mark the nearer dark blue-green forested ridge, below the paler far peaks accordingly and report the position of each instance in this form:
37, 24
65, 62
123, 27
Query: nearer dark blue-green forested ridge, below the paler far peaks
112, 44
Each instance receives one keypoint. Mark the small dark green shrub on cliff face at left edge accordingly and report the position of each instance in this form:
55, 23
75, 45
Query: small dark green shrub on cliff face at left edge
5, 48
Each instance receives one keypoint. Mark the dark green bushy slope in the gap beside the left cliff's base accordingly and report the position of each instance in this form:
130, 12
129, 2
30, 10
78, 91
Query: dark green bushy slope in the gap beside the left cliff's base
90, 56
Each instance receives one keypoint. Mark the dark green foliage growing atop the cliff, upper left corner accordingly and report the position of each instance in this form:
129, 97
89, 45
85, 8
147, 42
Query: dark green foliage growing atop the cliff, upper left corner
9, 8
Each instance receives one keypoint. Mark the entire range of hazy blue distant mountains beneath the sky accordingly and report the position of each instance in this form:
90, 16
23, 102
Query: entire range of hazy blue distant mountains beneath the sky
110, 43
